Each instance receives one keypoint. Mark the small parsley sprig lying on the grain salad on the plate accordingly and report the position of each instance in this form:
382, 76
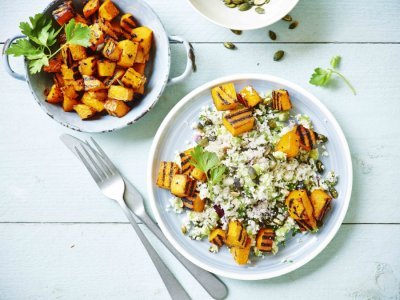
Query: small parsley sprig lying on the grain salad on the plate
208, 163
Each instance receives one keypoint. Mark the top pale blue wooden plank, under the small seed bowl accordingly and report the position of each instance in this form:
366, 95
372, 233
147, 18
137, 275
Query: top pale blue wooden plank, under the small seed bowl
320, 21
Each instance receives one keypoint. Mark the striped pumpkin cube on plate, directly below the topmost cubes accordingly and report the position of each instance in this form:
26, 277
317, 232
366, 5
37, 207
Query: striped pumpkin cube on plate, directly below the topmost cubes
239, 121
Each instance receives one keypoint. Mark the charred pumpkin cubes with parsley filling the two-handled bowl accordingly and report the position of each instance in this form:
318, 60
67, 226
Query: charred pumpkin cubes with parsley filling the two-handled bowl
98, 51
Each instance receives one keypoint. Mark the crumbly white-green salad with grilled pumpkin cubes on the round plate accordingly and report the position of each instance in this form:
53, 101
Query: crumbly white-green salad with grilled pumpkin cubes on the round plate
255, 175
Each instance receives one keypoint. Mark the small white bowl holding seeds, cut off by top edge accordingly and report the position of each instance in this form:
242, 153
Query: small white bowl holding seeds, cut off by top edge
232, 18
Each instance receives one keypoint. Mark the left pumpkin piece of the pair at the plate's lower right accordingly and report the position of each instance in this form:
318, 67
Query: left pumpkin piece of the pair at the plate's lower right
300, 209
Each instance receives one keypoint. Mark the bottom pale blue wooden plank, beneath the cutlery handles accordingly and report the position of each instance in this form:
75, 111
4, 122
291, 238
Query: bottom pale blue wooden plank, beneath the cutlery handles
75, 261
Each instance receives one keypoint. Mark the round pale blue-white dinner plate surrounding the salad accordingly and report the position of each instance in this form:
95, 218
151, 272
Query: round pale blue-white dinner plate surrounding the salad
172, 136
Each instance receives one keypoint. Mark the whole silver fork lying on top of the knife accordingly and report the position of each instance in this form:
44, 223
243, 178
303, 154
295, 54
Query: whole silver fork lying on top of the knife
112, 185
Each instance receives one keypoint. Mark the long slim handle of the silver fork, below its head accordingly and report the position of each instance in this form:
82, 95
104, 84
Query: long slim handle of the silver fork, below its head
173, 286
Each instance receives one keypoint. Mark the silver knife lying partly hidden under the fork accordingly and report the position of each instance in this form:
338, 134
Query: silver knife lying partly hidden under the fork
134, 200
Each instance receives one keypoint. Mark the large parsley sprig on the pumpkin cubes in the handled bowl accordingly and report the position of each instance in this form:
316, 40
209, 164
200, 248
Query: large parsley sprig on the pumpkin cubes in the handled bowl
42, 36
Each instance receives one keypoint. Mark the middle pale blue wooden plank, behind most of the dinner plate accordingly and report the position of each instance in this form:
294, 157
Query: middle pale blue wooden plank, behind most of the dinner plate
41, 181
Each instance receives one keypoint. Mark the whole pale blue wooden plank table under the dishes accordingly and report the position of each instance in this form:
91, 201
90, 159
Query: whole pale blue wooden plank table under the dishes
59, 239
